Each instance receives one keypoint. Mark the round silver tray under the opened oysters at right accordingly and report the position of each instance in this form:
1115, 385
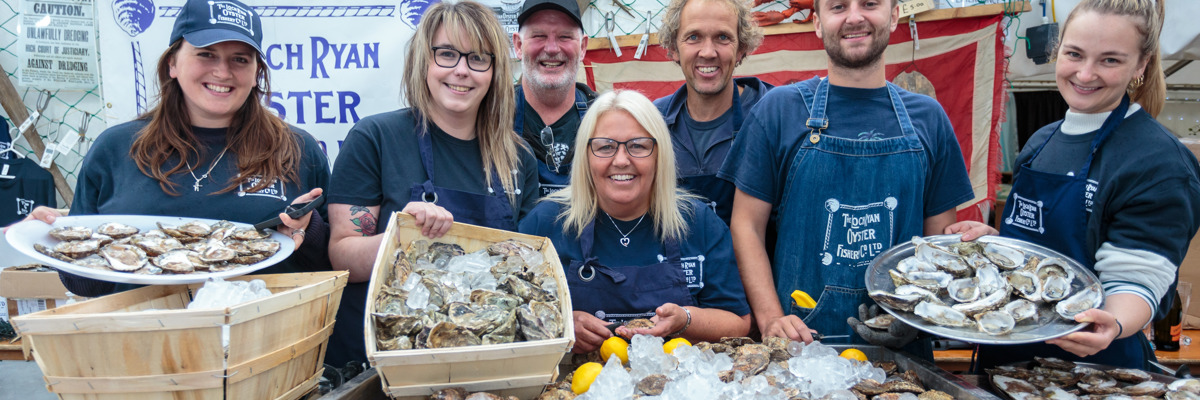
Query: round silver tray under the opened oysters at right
1048, 326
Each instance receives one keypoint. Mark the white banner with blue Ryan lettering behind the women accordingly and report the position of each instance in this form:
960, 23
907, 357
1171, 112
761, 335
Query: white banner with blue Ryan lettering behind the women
331, 65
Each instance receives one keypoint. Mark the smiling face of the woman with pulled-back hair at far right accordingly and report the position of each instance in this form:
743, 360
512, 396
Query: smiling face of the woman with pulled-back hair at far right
1099, 57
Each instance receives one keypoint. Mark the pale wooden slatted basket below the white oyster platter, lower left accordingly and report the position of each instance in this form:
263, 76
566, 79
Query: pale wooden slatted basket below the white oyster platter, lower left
145, 344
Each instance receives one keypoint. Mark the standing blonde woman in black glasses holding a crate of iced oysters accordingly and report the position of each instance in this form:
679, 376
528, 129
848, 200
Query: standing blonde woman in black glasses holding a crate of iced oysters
451, 157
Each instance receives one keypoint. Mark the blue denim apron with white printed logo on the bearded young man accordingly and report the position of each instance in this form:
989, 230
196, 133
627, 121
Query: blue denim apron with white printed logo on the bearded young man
845, 201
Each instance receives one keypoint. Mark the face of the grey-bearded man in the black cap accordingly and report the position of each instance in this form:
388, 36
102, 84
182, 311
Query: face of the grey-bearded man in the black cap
550, 45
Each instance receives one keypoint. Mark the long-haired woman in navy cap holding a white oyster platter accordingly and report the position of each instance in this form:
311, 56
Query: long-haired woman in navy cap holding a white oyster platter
209, 150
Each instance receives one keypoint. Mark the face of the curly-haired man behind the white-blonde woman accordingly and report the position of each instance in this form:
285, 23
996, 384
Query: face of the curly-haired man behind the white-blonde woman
709, 47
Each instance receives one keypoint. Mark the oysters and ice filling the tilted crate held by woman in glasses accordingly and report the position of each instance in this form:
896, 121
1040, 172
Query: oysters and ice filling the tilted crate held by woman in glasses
437, 296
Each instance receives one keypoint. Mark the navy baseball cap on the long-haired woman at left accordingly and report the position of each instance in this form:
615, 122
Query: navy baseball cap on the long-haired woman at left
209, 22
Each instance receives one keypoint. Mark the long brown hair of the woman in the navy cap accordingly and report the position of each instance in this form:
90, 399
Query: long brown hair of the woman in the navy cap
265, 145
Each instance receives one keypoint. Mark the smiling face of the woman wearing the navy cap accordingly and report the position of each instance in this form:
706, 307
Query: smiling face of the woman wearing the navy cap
215, 81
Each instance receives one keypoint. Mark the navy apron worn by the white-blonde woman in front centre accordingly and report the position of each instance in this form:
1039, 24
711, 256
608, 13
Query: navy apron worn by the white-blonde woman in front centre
623, 294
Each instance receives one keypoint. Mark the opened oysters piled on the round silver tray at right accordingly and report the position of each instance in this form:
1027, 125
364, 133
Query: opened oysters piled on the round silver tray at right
991, 288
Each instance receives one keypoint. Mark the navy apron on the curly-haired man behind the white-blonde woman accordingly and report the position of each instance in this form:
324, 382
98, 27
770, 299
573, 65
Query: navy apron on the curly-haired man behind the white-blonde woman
718, 193
